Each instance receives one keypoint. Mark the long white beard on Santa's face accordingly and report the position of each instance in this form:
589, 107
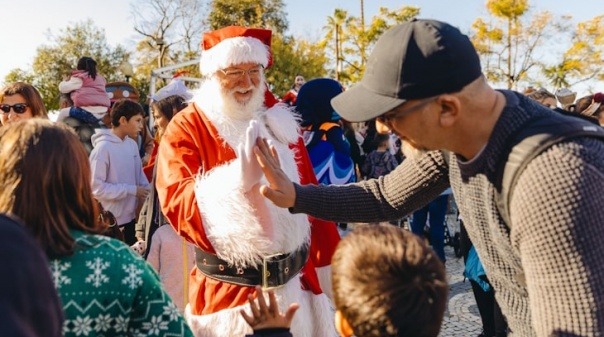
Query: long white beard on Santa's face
230, 117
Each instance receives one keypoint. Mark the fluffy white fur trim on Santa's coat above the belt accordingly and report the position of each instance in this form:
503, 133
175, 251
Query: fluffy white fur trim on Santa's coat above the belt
244, 226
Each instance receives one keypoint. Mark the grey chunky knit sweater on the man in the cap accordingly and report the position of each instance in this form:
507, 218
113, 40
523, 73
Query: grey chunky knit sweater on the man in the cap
548, 272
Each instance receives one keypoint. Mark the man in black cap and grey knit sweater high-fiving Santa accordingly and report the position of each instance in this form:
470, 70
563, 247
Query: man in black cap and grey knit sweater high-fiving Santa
424, 83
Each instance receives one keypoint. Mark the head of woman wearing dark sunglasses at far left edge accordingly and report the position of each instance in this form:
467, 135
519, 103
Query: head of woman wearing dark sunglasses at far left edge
19, 101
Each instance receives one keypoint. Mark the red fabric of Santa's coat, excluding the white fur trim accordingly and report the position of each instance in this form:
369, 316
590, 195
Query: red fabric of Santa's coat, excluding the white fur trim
191, 145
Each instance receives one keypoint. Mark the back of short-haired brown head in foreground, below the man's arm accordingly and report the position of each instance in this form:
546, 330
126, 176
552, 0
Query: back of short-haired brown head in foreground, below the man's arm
387, 282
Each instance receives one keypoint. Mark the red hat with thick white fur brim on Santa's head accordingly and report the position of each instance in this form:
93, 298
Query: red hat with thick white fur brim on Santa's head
234, 45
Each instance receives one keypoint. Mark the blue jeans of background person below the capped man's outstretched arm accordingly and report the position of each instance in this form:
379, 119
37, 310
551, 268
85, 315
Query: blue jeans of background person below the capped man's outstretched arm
437, 209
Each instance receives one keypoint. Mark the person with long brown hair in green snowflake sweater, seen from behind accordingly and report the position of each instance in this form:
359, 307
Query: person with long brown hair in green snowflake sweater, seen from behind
105, 288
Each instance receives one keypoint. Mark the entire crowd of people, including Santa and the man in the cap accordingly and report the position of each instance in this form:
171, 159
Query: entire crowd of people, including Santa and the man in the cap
225, 223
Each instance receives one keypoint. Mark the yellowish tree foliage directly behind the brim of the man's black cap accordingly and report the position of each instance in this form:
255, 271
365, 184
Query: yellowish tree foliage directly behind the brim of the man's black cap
349, 41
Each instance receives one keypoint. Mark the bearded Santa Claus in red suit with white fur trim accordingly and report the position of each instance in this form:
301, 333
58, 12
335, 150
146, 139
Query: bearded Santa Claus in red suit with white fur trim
208, 185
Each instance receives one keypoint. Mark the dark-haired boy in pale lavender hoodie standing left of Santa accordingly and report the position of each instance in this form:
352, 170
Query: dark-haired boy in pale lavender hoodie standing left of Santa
118, 181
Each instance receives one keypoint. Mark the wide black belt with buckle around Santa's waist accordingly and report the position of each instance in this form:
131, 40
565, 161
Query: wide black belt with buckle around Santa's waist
274, 271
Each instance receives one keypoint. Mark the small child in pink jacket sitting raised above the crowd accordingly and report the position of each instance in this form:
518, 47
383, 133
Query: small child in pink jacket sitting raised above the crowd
87, 89
